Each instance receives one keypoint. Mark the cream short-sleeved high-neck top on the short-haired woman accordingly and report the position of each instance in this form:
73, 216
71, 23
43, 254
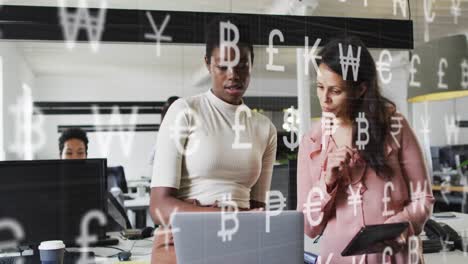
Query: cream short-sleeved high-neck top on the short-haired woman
205, 165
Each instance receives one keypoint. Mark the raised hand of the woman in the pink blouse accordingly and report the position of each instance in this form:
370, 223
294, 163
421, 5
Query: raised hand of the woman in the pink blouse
336, 162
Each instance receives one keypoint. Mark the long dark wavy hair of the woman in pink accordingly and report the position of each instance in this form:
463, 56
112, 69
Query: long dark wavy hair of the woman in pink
376, 107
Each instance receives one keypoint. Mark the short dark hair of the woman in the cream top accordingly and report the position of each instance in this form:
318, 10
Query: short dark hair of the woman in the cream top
212, 34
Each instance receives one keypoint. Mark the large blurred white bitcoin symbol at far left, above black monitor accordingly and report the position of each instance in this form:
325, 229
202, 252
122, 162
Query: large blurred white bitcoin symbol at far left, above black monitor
25, 125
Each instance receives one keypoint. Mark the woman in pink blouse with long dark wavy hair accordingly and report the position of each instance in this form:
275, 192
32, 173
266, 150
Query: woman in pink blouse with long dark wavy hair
348, 179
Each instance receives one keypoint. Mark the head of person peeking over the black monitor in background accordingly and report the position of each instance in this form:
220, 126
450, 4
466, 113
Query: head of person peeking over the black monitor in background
73, 144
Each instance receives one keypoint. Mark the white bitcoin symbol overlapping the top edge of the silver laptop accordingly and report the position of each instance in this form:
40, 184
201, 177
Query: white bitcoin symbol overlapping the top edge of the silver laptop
226, 215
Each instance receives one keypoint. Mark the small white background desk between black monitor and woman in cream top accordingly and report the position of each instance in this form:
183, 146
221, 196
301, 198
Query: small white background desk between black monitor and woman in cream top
137, 210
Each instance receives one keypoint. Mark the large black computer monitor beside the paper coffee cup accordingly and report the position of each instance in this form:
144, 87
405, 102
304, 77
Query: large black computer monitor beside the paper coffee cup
50, 197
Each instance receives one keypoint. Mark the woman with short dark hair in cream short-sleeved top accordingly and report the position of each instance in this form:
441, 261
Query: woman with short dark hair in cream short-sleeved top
193, 173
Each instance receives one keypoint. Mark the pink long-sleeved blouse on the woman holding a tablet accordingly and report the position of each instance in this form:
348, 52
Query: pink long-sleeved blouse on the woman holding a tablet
364, 198
